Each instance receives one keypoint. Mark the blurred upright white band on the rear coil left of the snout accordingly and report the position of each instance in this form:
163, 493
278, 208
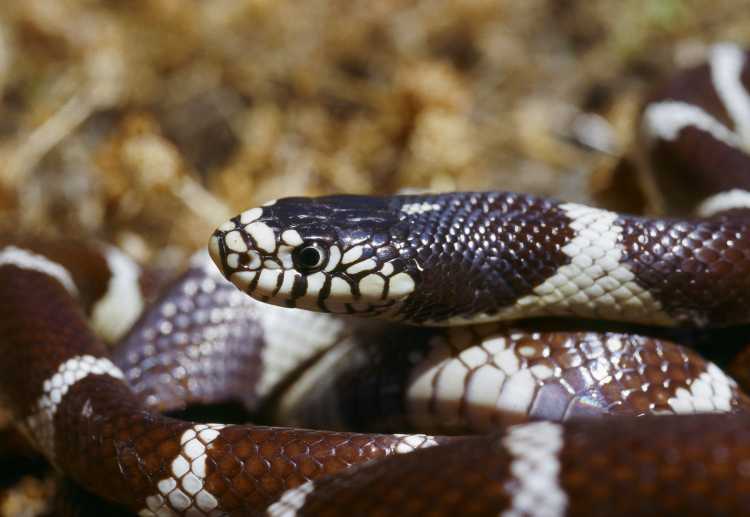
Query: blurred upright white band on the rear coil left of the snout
123, 302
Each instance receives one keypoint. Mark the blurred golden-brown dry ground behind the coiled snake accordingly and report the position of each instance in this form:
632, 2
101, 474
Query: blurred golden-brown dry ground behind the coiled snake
146, 123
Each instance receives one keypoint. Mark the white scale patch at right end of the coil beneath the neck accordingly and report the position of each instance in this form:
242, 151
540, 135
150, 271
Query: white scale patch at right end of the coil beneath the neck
711, 392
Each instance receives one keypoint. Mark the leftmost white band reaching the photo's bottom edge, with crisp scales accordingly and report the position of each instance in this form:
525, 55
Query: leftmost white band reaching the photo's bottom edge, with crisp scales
185, 491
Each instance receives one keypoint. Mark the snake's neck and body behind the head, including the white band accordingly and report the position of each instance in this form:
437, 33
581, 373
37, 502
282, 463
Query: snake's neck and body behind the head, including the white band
501, 256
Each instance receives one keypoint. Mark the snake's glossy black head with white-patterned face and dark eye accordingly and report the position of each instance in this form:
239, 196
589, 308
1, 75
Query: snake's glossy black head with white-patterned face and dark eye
338, 254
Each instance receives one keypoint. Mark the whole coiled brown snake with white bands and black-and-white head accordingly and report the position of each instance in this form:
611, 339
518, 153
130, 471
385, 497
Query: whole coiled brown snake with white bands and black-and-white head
577, 421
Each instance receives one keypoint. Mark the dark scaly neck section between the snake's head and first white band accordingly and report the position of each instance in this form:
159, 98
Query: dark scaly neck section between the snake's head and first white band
473, 254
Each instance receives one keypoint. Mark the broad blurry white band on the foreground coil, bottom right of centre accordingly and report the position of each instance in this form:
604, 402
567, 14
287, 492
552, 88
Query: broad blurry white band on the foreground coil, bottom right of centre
535, 448
